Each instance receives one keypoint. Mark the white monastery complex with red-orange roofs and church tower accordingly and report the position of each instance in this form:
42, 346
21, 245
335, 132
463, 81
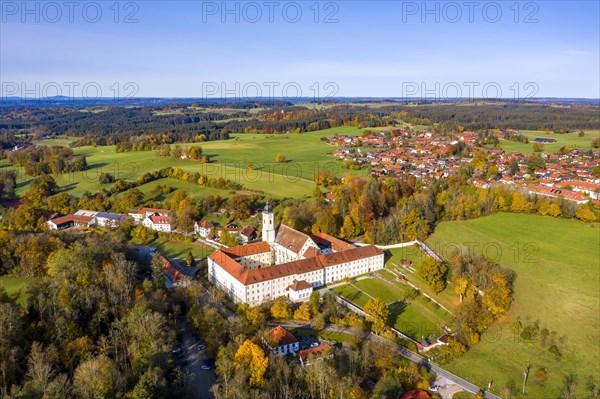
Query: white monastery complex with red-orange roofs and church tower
287, 263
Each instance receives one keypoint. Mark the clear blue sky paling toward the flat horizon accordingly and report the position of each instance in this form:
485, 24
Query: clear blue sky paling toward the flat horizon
380, 49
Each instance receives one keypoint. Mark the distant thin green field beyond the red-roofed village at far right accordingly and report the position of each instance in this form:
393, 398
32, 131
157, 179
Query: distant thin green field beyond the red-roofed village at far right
570, 140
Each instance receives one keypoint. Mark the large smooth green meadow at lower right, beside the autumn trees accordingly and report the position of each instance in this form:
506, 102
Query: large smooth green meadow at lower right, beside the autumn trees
557, 284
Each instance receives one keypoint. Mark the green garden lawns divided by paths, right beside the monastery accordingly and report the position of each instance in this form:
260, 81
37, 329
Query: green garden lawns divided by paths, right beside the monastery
412, 314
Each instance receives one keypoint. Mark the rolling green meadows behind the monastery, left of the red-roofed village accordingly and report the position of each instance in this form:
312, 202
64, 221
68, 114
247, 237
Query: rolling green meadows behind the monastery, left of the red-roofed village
305, 154
